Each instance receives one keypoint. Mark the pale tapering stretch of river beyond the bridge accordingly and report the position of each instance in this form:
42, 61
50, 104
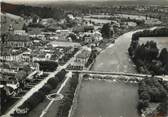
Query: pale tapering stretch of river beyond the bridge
115, 58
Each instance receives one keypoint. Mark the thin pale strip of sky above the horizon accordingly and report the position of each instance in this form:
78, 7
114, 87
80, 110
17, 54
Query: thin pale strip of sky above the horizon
45, 1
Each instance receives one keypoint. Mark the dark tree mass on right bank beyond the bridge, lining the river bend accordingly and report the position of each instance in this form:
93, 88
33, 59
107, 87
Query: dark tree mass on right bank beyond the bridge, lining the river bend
147, 57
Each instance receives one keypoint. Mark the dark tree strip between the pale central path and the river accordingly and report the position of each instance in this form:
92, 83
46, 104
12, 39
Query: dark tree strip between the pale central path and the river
66, 103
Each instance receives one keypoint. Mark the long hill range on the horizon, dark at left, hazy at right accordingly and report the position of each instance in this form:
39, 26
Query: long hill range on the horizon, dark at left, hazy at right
58, 9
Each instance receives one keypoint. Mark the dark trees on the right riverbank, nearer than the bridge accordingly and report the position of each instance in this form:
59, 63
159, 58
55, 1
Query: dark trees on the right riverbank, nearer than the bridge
152, 90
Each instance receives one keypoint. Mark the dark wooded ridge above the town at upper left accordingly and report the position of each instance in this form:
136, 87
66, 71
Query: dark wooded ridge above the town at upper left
25, 11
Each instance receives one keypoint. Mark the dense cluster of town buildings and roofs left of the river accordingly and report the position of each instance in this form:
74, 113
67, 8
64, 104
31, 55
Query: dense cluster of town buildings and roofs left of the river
21, 49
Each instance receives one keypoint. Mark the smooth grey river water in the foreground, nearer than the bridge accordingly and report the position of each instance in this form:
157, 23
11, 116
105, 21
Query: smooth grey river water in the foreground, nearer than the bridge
107, 99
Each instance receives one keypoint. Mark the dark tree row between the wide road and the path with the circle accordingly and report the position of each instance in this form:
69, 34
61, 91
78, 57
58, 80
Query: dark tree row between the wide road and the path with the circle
39, 96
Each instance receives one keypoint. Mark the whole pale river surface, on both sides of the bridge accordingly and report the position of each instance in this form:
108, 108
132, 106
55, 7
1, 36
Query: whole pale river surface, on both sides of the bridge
110, 99
